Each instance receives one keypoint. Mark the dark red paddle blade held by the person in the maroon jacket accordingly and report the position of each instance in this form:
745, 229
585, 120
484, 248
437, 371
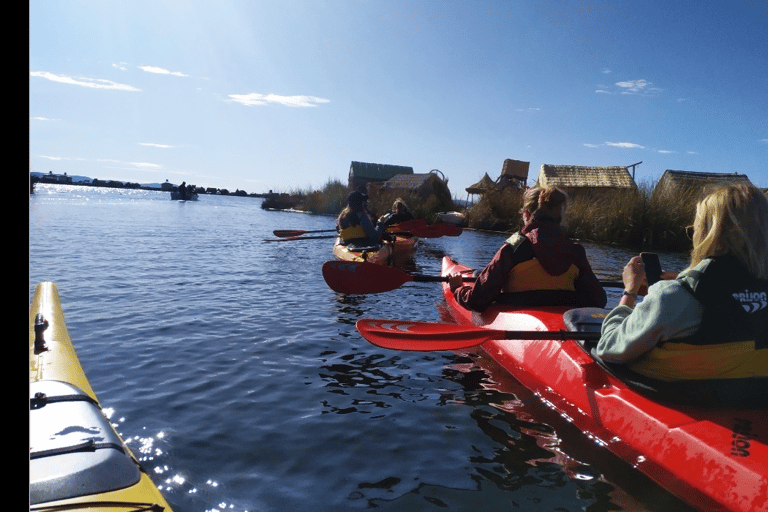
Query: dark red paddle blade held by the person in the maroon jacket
355, 277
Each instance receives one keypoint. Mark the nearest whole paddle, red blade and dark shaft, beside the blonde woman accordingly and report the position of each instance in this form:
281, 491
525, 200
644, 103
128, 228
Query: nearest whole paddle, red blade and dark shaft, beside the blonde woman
426, 336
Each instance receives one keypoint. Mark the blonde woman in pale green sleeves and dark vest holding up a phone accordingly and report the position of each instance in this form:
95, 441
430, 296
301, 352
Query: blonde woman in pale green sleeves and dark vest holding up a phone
710, 324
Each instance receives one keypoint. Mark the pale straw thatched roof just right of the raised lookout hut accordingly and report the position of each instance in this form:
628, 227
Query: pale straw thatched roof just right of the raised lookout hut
572, 176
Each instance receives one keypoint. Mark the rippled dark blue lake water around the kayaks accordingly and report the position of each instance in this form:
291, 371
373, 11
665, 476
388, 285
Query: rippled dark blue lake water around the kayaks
238, 378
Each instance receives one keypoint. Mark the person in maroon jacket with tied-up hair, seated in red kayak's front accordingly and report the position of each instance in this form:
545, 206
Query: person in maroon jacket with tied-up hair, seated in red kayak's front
539, 265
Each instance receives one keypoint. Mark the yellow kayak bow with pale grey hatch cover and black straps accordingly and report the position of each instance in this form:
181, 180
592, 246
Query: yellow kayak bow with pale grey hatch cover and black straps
77, 461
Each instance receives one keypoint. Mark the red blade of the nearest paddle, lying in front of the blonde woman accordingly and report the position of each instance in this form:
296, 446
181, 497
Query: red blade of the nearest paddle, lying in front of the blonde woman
423, 336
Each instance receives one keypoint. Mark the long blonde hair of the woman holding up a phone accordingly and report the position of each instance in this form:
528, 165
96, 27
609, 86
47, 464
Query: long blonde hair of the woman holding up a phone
733, 220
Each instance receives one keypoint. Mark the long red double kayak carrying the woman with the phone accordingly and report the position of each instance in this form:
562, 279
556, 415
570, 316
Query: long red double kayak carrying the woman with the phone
714, 459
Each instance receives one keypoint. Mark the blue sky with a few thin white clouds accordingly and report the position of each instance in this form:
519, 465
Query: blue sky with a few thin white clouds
283, 95
